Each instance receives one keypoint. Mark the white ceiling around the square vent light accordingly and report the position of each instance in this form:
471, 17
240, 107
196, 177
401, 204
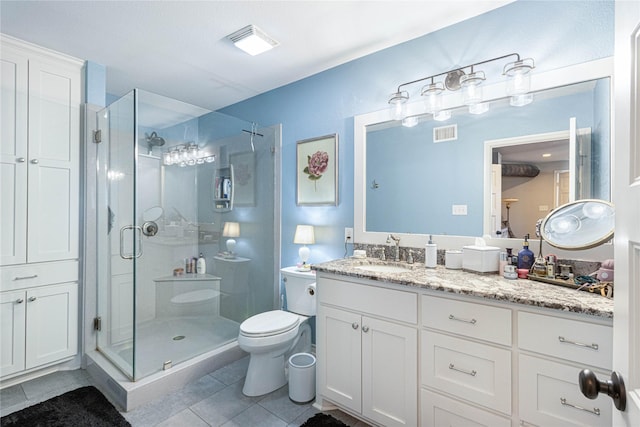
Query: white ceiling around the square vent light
179, 48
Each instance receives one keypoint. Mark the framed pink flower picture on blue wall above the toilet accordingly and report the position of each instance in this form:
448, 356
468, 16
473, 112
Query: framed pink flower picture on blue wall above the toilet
317, 171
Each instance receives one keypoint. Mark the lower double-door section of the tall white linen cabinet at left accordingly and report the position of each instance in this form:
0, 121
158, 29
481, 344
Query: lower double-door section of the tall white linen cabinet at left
39, 327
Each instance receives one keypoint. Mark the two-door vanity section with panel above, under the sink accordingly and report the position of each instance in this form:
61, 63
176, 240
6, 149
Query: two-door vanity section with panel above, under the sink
367, 346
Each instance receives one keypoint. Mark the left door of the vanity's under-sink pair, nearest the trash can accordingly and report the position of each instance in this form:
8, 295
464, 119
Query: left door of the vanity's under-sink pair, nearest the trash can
339, 353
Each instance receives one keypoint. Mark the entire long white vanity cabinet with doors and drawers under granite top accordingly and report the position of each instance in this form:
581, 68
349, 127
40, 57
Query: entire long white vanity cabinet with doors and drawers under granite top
431, 358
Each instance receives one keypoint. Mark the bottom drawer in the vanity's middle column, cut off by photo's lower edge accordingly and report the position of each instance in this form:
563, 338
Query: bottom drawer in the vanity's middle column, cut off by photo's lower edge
438, 410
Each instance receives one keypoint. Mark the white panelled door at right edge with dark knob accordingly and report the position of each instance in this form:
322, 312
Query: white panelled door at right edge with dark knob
626, 322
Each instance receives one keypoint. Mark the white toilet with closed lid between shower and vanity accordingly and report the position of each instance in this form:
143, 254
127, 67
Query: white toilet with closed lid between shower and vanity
271, 336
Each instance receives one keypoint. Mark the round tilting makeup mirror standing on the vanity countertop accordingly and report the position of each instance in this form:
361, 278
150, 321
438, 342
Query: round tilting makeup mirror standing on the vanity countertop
582, 224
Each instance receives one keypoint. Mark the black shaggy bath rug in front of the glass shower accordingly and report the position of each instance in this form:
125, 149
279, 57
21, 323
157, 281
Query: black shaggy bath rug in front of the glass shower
83, 407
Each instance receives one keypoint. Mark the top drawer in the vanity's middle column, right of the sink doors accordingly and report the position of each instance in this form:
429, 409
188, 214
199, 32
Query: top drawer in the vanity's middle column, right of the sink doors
469, 319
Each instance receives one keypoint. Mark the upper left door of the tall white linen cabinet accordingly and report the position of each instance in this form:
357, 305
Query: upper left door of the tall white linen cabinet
13, 155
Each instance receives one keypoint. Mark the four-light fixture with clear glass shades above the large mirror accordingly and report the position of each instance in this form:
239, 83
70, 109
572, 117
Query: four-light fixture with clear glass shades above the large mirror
518, 73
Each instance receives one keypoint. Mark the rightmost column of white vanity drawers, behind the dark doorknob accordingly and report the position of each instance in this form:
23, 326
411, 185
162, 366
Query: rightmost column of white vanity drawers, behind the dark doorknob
553, 352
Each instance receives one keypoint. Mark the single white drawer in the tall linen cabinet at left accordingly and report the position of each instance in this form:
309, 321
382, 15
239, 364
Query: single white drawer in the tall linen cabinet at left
37, 274
